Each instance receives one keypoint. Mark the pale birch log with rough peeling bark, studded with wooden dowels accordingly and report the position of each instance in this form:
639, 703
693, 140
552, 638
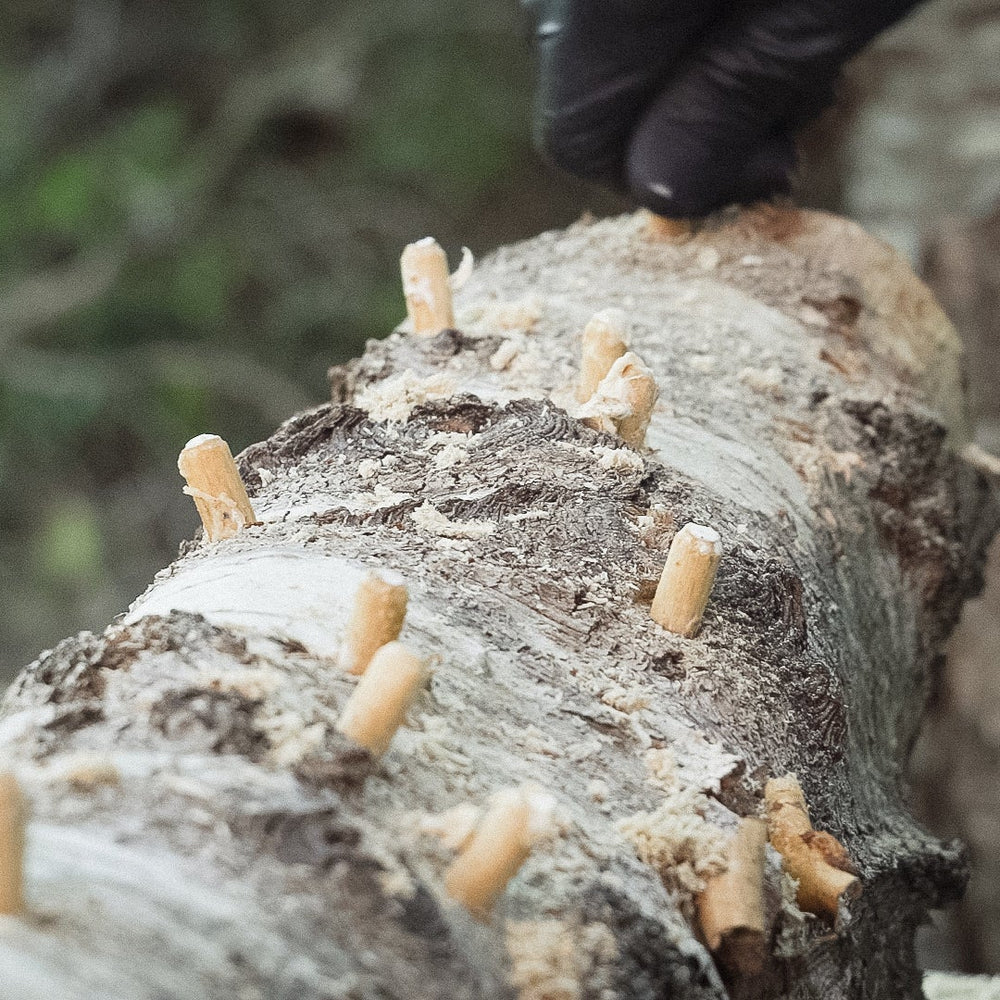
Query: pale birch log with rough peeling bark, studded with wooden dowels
201, 830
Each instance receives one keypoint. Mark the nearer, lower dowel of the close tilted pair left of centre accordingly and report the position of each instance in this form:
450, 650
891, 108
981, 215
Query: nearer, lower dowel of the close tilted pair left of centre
377, 707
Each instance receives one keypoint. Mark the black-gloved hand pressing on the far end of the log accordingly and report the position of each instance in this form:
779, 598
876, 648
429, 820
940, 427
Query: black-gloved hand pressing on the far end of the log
692, 104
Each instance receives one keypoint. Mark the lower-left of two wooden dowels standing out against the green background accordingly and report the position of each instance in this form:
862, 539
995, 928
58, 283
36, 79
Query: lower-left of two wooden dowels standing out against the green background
215, 484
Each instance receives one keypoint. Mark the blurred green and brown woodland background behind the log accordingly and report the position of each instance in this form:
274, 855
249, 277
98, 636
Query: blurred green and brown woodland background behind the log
202, 206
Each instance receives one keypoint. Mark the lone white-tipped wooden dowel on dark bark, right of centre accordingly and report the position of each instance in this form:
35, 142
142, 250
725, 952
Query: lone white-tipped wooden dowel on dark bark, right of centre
687, 579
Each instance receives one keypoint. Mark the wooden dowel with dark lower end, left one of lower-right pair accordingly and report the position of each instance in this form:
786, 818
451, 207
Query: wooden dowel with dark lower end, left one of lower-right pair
731, 909
